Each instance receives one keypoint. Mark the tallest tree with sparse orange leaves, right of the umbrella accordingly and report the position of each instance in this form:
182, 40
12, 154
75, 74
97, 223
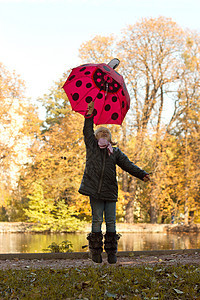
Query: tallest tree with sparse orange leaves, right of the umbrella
152, 68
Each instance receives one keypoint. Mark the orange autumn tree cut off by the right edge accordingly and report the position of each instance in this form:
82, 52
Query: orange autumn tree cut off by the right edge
187, 126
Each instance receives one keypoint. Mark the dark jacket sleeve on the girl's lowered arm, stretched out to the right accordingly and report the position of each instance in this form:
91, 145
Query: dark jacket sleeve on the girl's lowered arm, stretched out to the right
125, 164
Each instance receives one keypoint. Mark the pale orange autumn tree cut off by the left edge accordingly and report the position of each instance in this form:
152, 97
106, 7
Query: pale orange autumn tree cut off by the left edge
13, 142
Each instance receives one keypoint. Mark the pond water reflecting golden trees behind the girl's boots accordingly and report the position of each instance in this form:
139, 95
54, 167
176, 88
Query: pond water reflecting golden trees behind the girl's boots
35, 243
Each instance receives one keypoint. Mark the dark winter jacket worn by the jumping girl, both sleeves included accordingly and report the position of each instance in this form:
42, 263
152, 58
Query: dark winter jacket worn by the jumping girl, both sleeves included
99, 178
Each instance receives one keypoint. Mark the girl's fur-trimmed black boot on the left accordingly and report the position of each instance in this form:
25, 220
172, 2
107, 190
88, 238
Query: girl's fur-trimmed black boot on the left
96, 245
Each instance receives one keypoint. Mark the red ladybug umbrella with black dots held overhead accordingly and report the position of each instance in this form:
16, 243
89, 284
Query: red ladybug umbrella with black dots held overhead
101, 84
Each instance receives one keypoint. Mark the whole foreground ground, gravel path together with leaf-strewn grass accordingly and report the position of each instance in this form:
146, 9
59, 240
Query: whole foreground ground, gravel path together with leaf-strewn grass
135, 277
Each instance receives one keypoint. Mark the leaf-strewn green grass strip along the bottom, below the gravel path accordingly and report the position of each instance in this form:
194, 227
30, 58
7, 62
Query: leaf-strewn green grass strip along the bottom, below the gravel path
102, 282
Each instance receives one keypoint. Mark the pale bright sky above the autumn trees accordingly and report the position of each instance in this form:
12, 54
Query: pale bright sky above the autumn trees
40, 39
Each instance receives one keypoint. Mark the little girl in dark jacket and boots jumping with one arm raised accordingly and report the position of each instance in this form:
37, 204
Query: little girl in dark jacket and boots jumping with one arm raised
100, 184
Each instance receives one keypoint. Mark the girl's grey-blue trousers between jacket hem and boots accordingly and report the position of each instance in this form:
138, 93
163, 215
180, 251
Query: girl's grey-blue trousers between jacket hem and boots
100, 208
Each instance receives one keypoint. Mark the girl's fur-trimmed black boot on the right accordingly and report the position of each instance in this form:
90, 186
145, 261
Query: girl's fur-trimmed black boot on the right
110, 246
